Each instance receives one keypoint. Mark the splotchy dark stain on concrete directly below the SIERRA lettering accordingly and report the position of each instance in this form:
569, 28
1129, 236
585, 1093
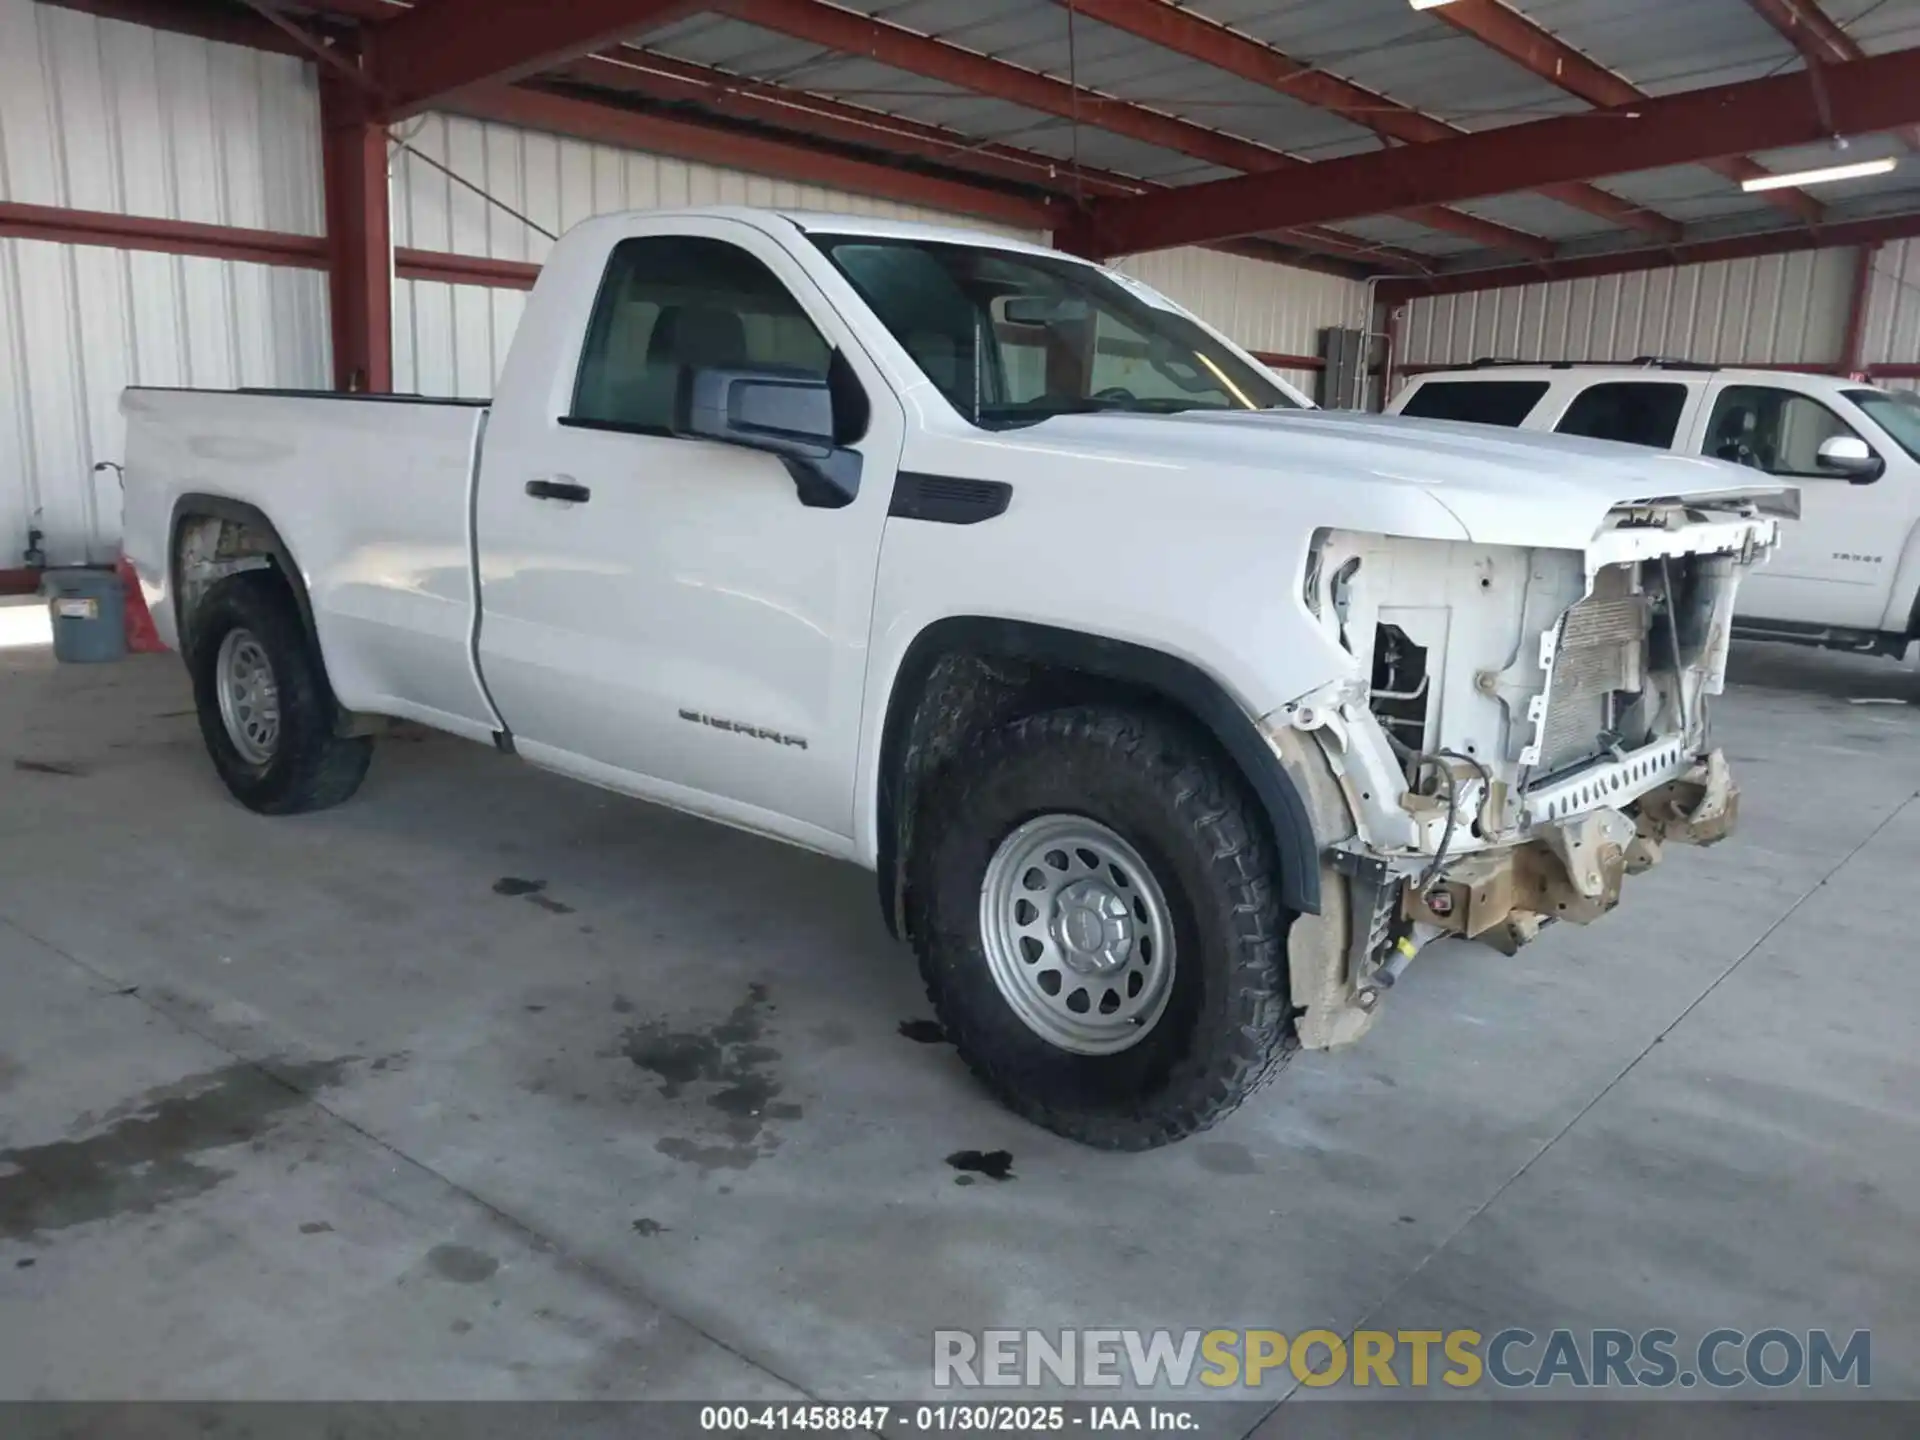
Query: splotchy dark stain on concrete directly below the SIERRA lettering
731, 1065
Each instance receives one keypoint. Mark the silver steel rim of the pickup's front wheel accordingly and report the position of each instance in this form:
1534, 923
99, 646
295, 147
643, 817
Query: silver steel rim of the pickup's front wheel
1070, 909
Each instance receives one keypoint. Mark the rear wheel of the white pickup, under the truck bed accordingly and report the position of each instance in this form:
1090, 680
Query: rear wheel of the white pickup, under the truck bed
266, 708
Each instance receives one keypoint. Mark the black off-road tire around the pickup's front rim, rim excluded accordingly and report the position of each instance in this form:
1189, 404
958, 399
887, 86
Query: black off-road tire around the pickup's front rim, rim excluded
1228, 1026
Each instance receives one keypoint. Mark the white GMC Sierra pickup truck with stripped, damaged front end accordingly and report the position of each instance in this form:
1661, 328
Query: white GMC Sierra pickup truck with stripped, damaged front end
1174, 715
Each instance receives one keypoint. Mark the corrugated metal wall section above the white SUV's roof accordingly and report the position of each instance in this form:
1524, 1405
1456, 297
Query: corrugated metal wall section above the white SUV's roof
1781, 310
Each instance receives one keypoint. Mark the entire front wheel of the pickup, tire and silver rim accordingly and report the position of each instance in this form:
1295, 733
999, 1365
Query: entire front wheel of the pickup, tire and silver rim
1097, 926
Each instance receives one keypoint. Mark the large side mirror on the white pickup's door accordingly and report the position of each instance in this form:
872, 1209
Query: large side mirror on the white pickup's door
780, 412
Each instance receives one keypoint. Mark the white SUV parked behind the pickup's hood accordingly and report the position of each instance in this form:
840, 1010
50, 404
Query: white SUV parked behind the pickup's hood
1848, 575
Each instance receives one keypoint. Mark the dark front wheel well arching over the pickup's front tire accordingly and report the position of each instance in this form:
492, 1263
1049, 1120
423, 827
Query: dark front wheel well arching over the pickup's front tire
971, 675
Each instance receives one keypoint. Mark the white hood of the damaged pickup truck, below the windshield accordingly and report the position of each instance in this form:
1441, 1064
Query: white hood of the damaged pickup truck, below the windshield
1504, 487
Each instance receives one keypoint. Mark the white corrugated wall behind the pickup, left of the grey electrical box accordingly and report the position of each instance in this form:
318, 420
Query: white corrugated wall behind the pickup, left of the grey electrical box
120, 118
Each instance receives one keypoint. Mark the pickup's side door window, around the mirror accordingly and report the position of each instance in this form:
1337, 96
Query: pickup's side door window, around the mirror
677, 302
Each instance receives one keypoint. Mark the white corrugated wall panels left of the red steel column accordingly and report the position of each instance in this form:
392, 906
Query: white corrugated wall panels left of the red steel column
120, 118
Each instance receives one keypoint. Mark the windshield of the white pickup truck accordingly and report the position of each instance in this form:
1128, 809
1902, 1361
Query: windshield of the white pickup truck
1015, 339
